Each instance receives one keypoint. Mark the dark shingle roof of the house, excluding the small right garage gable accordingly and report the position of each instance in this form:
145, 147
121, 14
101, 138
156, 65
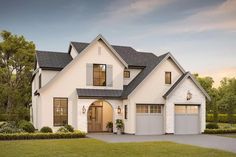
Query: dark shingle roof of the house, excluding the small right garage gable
144, 60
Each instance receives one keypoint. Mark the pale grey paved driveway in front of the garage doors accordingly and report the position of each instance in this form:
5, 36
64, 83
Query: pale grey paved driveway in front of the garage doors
208, 141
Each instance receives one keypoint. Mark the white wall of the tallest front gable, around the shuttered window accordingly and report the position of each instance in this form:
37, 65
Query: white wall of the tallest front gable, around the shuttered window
74, 76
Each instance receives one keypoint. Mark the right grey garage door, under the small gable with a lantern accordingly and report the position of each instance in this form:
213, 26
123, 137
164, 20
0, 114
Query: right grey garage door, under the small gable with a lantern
187, 119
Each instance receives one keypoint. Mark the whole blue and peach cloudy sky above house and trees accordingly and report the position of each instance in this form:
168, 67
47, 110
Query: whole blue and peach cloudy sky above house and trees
201, 34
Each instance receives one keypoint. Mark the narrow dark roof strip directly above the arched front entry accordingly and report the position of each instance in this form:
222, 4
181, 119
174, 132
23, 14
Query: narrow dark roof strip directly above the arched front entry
98, 93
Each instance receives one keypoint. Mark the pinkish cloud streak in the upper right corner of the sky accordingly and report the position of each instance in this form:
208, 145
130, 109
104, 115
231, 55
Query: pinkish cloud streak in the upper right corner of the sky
220, 17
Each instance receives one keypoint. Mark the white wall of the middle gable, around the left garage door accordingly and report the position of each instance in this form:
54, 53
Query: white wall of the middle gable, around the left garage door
151, 90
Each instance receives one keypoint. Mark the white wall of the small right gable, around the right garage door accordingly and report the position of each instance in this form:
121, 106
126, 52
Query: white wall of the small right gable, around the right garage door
179, 97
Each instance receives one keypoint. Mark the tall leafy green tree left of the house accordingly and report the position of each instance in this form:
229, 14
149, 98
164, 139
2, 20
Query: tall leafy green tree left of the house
16, 65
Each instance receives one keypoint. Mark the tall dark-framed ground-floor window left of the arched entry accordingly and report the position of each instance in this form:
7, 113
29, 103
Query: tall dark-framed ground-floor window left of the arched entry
60, 111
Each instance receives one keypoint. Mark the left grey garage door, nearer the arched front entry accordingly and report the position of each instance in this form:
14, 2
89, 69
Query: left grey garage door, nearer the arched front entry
149, 119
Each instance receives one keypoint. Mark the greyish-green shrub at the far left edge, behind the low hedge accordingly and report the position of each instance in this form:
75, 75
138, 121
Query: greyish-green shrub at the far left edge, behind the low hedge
10, 127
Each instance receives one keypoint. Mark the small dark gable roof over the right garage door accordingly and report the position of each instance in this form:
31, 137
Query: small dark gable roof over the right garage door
180, 80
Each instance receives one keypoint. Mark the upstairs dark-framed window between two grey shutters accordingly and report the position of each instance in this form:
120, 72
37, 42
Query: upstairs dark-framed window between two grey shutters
99, 74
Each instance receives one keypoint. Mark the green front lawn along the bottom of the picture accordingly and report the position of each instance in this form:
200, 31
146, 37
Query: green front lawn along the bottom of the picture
93, 148
